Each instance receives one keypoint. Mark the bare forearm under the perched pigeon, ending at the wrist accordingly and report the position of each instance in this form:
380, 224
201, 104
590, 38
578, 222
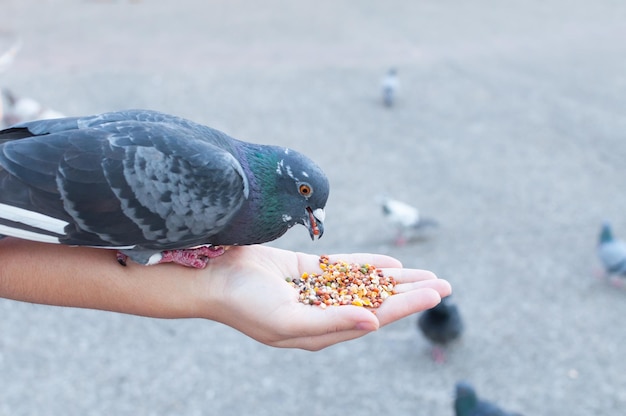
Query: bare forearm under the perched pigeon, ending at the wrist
92, 278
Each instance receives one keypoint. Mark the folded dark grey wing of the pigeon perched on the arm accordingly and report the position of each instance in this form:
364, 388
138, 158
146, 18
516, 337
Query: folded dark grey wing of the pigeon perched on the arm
118, 182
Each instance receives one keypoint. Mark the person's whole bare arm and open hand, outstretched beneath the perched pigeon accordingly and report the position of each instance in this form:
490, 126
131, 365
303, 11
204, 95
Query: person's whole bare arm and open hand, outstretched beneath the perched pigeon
245, 289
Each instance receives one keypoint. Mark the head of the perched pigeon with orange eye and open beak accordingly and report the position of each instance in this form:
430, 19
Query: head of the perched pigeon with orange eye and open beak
304, 189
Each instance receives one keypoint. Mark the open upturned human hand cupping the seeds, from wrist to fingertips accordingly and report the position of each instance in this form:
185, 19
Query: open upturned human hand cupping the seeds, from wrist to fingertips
247, 291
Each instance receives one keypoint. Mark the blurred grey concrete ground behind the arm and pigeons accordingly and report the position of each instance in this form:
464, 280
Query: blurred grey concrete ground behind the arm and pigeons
510, 130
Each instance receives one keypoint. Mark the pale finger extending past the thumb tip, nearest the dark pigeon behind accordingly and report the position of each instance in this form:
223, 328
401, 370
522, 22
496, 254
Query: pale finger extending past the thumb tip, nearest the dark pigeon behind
402, 305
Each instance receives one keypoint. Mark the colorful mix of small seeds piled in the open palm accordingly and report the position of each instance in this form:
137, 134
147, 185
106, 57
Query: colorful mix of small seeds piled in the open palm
343, 283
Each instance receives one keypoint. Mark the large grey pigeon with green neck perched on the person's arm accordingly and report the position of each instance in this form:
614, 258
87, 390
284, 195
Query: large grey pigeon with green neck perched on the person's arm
156, 187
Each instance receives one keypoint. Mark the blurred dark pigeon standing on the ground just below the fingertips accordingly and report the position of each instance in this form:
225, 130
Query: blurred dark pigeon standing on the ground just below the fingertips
441, 325
